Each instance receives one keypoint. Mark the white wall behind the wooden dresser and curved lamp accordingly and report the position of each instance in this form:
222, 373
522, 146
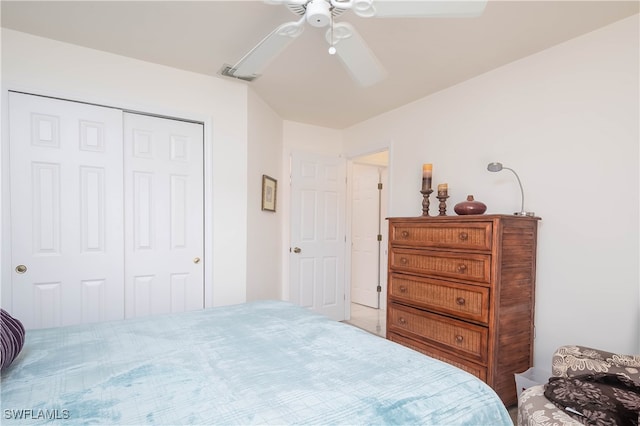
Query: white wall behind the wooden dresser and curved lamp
566, 120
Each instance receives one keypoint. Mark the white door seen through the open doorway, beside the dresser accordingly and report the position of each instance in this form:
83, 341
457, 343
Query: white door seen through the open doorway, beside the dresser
365, 228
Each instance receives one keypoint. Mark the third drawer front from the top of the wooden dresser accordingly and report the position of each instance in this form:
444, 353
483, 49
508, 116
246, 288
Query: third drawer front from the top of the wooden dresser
460, 300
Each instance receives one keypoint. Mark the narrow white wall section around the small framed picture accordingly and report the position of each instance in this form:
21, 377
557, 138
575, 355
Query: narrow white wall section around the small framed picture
264, 228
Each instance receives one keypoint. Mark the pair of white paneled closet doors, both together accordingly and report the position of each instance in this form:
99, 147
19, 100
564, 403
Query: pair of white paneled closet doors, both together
106, 213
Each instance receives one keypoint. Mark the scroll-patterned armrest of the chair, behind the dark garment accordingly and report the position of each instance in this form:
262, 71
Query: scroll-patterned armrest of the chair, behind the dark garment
574, 360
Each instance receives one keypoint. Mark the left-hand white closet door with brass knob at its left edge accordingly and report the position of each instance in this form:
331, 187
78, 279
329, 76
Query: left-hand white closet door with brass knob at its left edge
66, 211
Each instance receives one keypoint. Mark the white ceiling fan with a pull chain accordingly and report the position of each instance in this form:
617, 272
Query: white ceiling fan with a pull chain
343, 39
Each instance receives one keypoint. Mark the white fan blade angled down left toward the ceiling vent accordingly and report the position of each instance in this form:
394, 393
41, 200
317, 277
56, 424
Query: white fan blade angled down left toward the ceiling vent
264, 52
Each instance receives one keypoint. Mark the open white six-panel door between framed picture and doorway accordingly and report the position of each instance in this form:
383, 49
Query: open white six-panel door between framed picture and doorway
318, 188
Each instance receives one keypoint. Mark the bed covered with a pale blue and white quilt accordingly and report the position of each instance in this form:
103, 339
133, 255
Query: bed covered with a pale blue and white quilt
267, 362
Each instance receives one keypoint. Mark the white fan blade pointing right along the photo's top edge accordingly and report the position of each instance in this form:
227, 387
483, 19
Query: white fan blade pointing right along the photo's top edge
419, 8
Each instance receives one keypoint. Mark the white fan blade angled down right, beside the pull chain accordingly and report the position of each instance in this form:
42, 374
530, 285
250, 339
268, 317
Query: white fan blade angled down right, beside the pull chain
356, 55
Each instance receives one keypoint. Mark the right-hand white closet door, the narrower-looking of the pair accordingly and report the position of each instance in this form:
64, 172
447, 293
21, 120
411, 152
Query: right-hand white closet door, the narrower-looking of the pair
164, 229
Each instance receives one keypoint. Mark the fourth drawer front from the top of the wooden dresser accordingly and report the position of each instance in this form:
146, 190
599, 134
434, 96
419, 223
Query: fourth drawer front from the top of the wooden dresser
459, 337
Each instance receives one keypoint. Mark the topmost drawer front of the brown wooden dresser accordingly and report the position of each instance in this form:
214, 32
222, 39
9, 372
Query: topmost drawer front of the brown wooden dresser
470, 236
